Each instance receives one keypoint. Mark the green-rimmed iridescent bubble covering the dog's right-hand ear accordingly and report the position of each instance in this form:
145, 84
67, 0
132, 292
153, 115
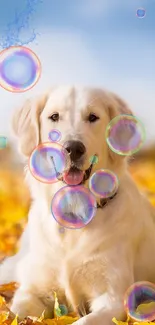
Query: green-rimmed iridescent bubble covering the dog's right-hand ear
125, 135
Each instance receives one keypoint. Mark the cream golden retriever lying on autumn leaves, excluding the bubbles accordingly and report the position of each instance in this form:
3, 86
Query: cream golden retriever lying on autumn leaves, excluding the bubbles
90, 268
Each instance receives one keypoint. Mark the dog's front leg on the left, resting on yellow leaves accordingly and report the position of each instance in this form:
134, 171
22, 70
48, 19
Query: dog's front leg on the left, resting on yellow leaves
37, 282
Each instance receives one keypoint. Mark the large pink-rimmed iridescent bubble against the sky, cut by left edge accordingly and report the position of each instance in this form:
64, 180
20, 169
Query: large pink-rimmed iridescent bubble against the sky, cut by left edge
20, 69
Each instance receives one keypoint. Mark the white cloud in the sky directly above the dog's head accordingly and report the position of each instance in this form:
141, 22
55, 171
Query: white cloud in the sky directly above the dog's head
67, 59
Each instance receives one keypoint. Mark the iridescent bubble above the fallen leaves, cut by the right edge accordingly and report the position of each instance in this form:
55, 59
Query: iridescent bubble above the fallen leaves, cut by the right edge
139, 301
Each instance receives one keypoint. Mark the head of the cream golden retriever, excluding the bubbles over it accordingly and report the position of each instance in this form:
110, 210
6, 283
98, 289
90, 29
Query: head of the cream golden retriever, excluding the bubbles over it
81, 115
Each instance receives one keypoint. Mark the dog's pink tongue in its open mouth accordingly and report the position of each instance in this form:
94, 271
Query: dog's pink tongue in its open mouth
73, 178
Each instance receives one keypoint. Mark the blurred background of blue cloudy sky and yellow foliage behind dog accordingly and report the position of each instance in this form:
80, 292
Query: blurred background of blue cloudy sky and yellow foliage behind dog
83, 42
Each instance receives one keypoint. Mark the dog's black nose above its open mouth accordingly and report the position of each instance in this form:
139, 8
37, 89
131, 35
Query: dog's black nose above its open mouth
76, 149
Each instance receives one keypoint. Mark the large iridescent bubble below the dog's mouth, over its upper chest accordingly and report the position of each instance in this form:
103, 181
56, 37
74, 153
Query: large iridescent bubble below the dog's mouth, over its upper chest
73, 207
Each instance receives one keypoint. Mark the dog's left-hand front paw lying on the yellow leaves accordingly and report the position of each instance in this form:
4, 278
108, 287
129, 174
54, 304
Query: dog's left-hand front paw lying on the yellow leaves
26, 304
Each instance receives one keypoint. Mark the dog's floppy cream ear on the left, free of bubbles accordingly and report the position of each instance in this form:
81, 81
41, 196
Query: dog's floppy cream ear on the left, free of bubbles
25, 124
